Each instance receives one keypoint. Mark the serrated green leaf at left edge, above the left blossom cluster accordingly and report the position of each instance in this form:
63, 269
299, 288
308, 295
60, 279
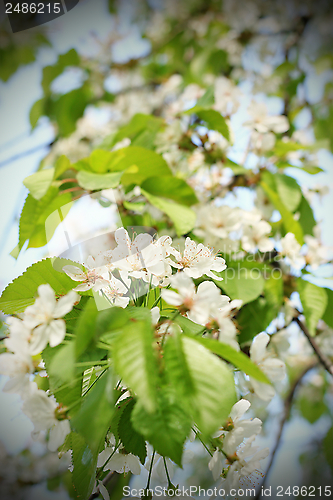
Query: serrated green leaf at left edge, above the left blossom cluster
22, 292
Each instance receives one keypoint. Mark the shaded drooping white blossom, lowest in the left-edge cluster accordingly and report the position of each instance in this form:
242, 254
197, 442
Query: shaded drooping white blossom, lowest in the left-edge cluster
42, 412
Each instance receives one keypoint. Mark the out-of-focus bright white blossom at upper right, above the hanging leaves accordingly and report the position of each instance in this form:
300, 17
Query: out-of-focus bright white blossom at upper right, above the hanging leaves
262, 122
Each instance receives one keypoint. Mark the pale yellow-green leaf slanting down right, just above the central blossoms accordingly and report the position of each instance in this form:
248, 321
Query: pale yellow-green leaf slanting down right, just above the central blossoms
183, 217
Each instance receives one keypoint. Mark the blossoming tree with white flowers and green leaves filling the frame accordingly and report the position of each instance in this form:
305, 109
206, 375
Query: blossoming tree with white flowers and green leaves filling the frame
183, 316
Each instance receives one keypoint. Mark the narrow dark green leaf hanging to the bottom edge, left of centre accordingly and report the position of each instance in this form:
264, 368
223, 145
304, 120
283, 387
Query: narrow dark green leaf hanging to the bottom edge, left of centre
84, 467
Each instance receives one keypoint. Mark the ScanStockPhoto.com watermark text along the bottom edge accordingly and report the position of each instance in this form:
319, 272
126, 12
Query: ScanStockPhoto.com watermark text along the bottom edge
182, 492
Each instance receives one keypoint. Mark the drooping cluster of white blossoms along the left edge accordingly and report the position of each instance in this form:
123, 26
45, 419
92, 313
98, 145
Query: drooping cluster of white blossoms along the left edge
40, 324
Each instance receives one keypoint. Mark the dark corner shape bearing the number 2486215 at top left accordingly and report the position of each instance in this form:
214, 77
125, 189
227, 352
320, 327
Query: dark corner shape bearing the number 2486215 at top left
28, 14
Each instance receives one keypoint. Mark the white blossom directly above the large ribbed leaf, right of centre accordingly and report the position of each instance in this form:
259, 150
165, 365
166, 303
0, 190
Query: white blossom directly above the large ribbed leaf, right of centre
199, 305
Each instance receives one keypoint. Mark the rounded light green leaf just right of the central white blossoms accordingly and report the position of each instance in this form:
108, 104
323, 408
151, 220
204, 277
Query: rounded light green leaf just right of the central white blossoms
245, 284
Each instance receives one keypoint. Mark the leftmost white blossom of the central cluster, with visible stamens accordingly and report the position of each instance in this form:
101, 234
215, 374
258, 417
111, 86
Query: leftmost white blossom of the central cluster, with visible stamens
94, 277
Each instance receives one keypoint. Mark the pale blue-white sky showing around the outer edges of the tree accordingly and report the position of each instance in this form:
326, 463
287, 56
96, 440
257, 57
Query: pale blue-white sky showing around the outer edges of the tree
76, 29
